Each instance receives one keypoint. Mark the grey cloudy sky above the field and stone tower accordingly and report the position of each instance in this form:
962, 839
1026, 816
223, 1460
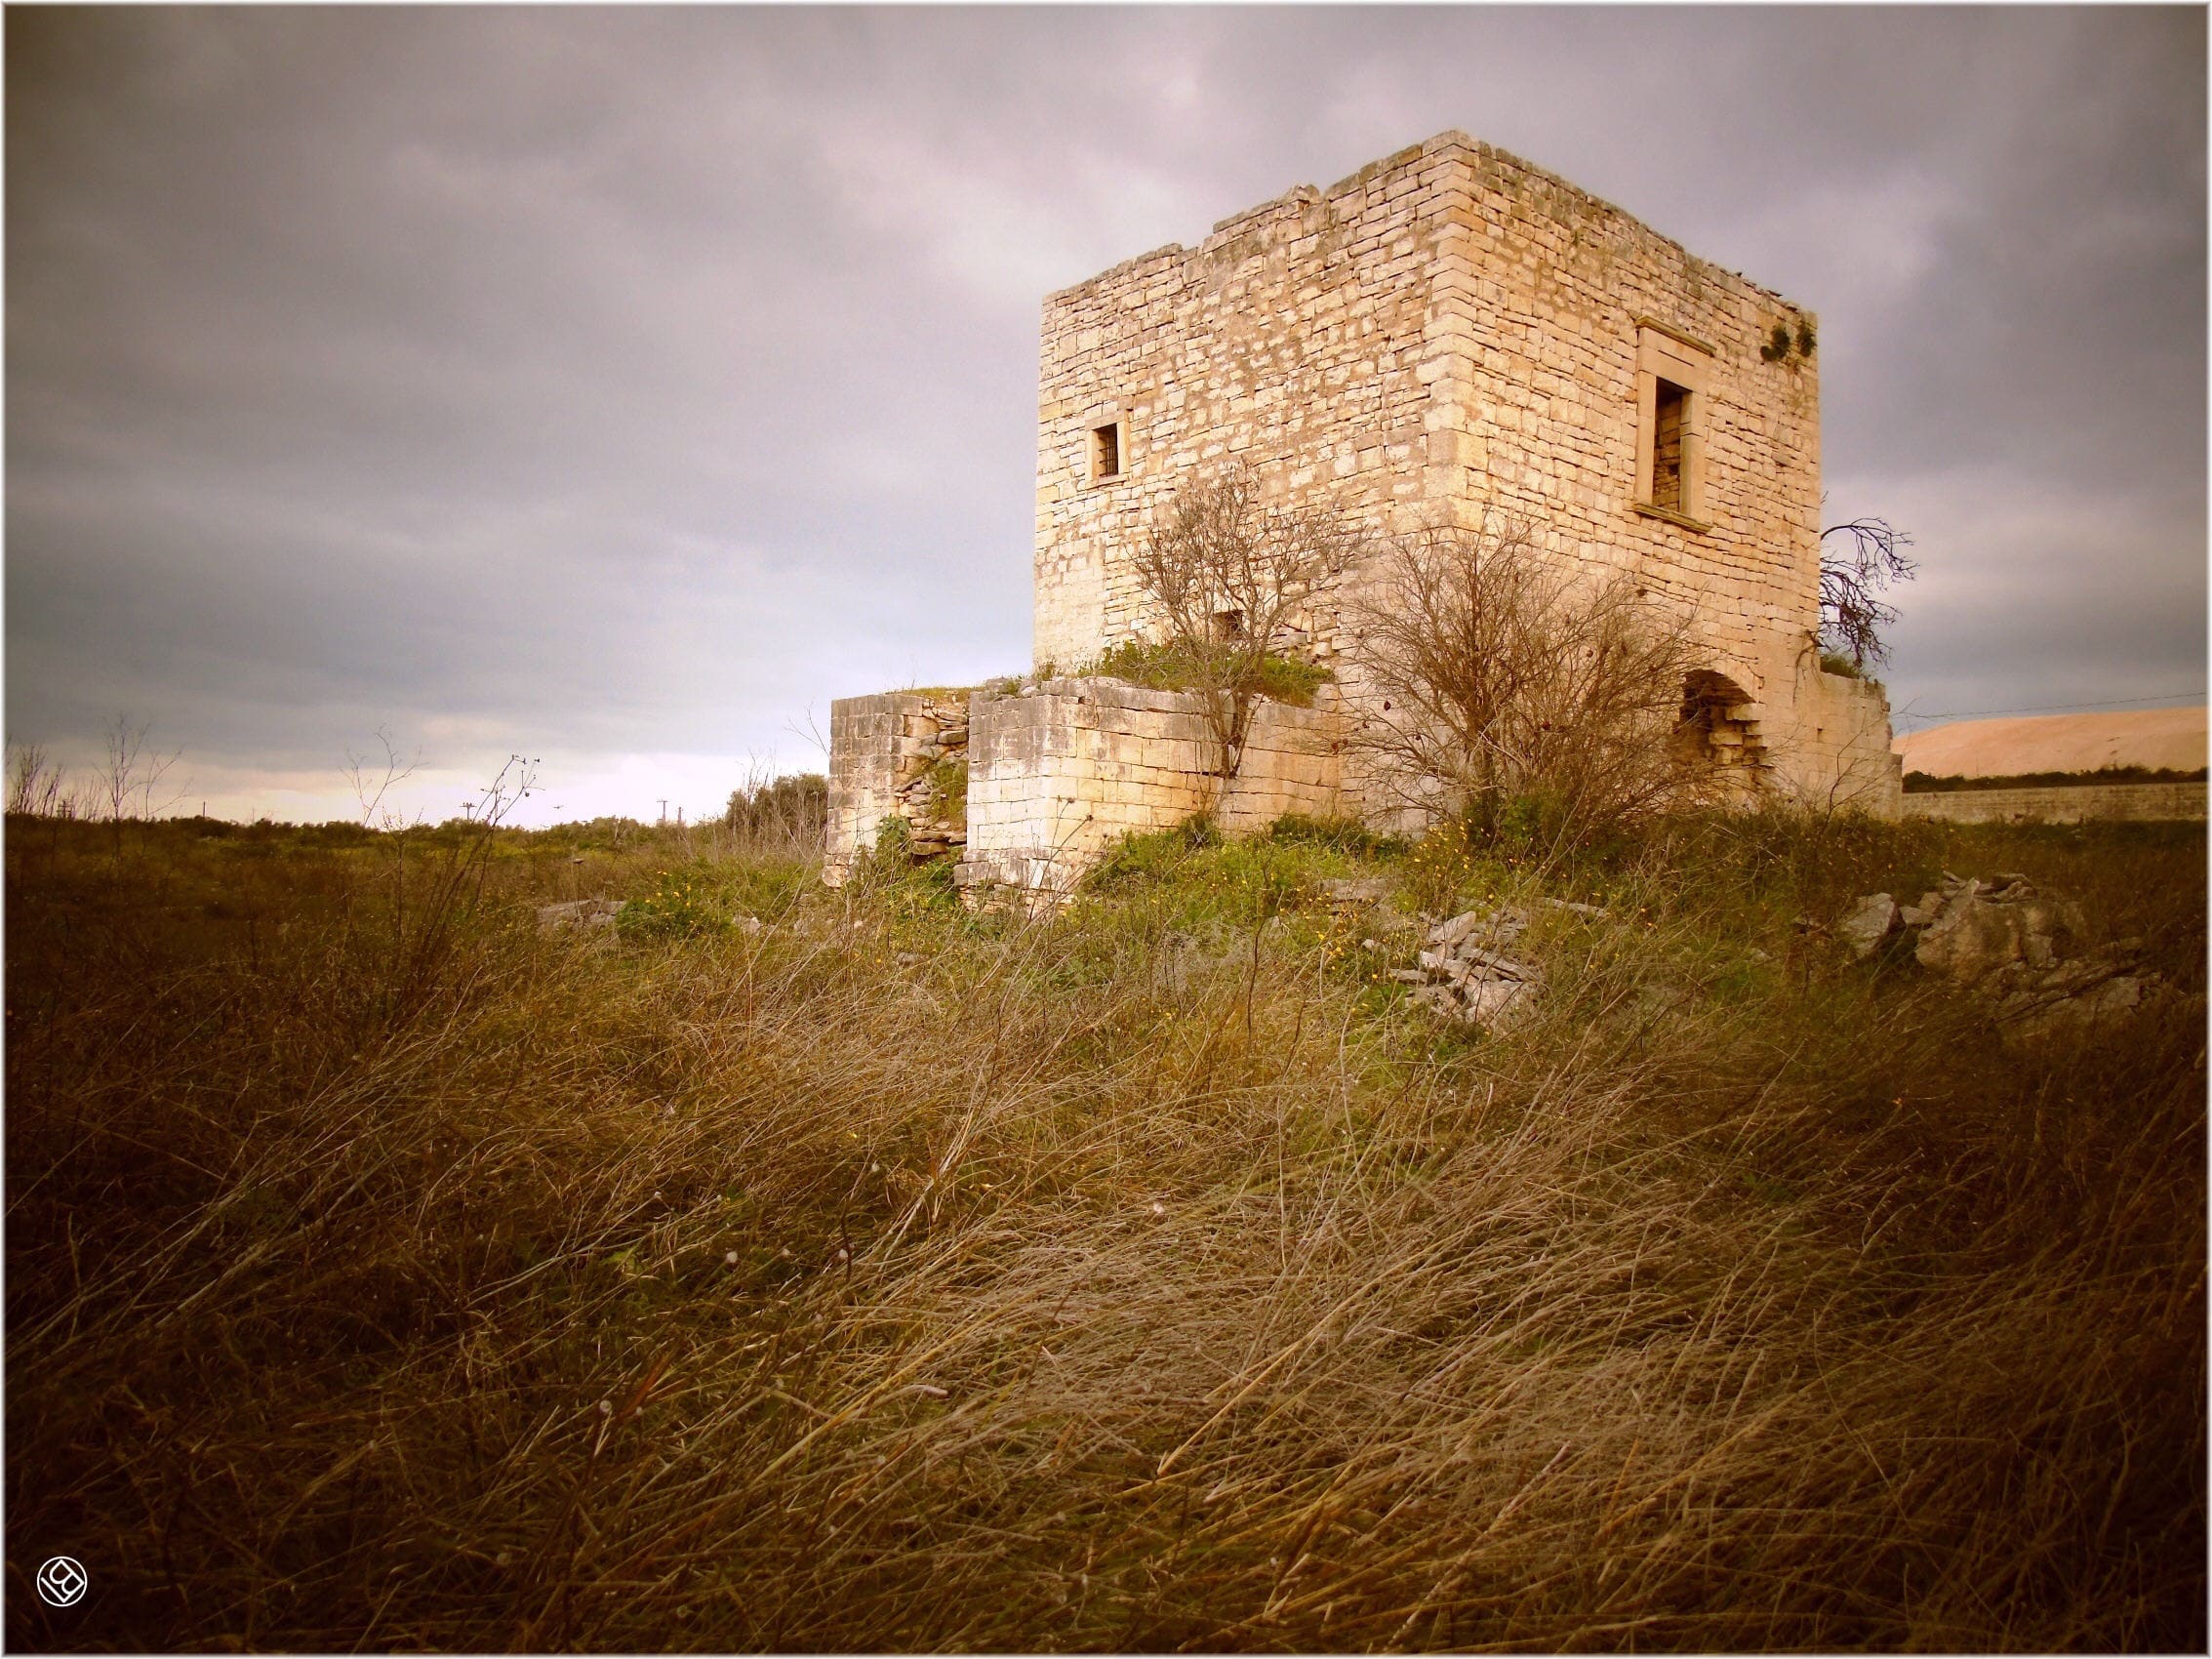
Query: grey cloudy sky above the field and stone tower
620, 386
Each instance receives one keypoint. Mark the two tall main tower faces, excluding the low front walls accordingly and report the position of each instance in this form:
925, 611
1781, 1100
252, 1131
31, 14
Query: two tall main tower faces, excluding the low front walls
1443, 335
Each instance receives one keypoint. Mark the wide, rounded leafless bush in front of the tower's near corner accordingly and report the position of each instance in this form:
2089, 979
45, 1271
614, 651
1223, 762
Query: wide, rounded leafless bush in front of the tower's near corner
1494, 678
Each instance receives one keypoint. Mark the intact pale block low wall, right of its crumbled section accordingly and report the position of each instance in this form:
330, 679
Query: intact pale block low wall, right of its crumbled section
1063, 771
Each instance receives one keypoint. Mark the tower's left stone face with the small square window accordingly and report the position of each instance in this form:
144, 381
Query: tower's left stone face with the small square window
1293, 337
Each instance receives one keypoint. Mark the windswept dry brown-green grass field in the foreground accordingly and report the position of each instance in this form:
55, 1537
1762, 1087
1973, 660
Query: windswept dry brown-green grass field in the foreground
1151, 1277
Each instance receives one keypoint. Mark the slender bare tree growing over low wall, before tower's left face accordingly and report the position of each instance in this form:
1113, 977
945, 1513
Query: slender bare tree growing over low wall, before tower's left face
1231, 570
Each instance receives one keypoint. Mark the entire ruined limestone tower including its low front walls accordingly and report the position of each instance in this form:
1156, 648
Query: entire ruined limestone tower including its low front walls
1450, 333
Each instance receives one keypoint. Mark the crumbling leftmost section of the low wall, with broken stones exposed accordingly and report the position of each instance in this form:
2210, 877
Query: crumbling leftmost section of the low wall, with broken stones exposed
886, 760
